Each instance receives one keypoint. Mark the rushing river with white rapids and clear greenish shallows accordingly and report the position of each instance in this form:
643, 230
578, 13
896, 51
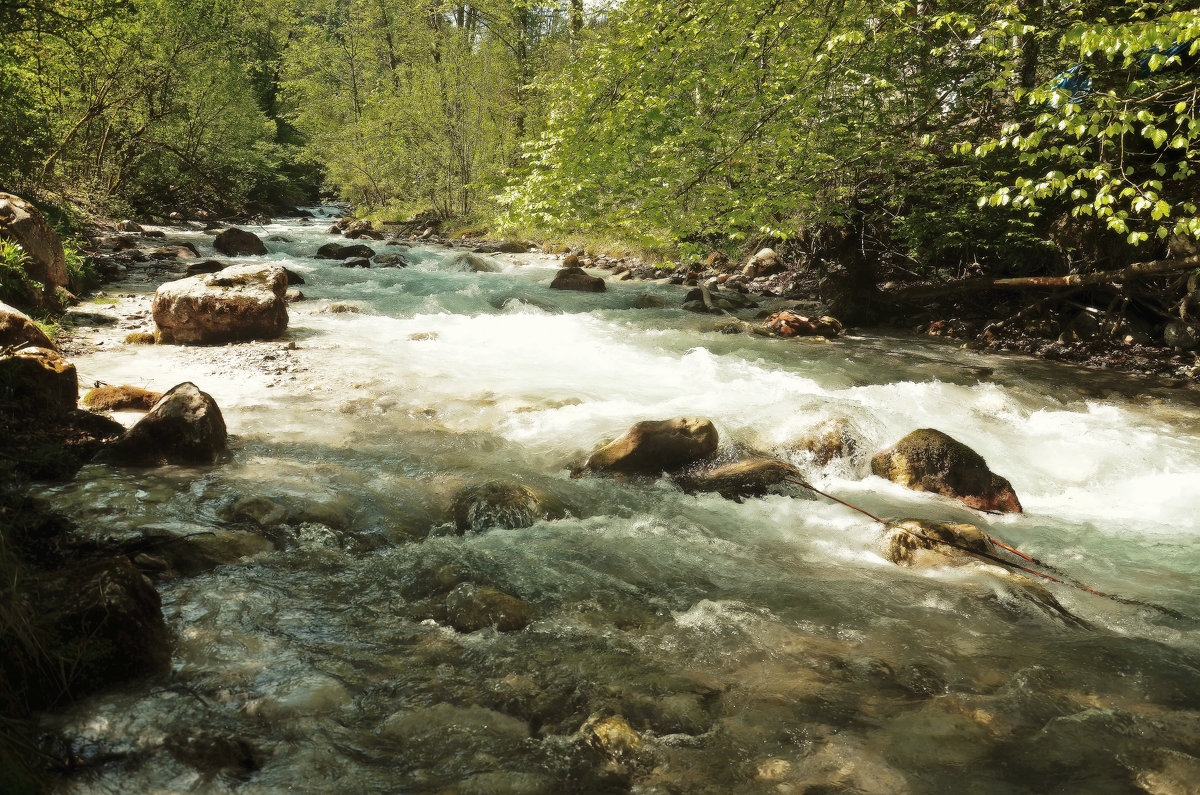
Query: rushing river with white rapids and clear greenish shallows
764, 647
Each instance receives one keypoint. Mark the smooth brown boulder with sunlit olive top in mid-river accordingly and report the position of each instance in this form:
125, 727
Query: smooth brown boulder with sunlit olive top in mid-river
657, 446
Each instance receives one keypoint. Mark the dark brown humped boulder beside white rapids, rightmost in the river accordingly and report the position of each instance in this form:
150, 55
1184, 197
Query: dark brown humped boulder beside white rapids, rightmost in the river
929, 461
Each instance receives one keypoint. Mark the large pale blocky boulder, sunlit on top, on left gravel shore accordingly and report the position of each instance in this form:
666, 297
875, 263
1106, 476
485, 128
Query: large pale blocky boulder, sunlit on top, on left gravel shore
239, 303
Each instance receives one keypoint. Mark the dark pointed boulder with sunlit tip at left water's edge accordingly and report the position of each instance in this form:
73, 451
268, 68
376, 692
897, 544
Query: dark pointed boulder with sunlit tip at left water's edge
185, 427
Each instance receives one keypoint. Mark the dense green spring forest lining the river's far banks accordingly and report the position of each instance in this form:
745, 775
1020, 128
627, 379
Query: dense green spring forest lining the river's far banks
914, 140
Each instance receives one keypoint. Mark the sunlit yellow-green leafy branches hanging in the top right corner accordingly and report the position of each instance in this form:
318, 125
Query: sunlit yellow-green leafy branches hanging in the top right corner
1124, 153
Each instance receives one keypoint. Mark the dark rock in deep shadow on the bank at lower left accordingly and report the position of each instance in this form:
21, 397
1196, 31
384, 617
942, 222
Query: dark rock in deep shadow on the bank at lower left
107, 620
